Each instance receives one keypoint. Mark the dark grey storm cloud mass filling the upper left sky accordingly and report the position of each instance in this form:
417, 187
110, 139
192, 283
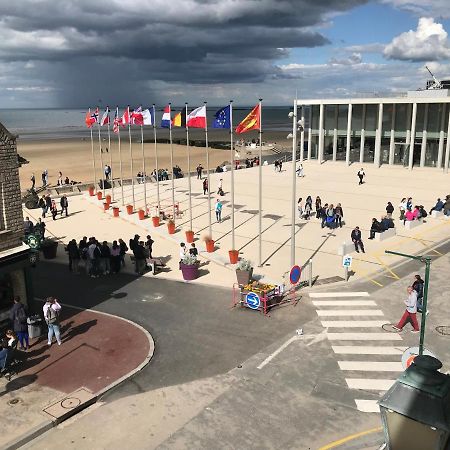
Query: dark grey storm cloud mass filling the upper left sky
79, 44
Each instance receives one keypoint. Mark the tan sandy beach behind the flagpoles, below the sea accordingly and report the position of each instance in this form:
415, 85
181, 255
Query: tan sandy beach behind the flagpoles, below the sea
73, 157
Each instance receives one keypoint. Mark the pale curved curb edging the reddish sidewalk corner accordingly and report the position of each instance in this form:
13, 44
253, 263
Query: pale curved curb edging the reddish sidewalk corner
49, 424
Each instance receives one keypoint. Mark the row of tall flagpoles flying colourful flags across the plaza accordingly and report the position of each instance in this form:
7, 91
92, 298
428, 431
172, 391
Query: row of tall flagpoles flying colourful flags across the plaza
223, 118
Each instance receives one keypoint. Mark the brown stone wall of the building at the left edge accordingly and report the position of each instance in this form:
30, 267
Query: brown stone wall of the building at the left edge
11, 225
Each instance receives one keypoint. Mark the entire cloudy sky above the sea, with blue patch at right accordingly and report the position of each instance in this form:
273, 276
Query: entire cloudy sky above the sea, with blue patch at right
73, 53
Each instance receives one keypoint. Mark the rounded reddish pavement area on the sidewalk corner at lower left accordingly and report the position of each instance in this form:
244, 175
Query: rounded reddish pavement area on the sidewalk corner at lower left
97, 350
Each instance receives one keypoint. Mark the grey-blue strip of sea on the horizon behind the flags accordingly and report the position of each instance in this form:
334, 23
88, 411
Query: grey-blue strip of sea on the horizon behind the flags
44, 124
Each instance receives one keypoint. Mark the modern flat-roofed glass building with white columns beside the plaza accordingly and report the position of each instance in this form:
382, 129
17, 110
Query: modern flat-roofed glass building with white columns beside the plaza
410, 130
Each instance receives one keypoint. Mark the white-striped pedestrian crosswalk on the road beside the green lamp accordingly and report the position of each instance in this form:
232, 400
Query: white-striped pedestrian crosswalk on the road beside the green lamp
369, 357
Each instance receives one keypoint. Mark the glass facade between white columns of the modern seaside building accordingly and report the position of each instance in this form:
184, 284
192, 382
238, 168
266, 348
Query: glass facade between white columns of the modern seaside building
395, 135
